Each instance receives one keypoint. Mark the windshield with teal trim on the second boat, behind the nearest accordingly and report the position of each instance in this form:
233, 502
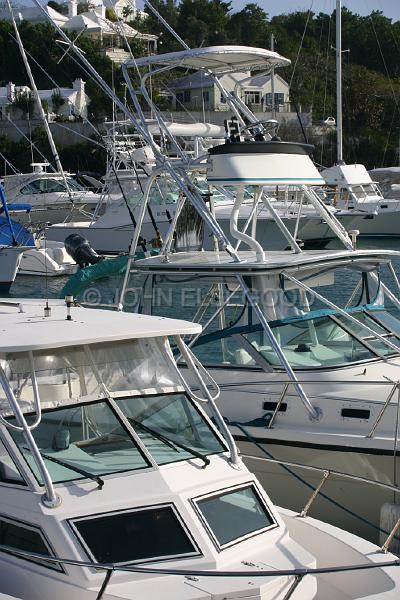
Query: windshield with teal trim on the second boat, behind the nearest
321, 338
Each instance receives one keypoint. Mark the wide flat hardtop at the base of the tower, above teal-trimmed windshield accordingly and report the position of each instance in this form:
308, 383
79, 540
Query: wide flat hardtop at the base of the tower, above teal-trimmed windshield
220, 263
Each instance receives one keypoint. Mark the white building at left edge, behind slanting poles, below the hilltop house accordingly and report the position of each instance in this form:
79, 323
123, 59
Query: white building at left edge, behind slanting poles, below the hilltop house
66, 102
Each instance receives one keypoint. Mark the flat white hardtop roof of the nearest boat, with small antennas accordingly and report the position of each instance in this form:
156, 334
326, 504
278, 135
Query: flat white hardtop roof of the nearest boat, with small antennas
31, 330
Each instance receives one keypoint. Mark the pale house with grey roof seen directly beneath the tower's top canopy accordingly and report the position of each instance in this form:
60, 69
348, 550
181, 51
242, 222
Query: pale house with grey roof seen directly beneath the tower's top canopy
199, 91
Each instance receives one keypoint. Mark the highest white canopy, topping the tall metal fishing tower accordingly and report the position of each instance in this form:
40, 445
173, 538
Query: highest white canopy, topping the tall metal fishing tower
217, 59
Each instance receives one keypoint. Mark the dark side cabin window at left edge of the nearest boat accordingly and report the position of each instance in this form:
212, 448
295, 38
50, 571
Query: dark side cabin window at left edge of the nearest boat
28, 538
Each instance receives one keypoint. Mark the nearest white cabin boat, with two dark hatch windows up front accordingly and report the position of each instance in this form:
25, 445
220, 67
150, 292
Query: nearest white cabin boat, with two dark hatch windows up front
116, 484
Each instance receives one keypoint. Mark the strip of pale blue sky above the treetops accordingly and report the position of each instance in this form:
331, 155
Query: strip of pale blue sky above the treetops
390, 8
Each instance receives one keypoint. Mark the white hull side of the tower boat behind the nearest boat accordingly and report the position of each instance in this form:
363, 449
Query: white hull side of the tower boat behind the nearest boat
333, 442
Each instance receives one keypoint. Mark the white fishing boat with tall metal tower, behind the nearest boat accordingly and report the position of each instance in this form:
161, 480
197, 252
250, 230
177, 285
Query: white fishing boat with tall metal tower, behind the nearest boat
349, 344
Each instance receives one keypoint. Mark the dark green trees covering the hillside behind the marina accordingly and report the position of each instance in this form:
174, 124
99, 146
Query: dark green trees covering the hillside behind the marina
370, 98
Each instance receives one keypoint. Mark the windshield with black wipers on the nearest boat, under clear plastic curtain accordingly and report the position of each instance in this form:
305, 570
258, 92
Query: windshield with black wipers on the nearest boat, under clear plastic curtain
92, 439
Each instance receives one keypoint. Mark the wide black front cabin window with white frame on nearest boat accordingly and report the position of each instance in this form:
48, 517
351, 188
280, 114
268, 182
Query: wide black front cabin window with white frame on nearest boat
151, 533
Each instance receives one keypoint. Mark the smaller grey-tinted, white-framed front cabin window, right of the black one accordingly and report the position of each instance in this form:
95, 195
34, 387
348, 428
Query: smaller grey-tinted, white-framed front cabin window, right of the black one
234, 515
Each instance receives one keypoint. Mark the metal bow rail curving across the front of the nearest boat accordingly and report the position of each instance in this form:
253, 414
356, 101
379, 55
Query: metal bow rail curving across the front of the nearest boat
110, 569
